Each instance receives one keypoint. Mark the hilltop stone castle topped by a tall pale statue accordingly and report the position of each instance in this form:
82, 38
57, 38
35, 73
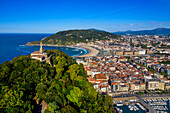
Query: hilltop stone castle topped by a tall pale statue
39, 55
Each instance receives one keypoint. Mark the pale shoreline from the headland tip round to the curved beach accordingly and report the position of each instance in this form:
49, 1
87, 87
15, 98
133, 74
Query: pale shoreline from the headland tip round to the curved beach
93, 51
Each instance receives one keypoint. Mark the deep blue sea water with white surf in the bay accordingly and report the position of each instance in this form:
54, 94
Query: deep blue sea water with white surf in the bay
13, 45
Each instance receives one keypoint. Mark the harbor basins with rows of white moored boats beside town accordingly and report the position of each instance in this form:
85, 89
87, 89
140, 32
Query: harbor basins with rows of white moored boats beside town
157, 104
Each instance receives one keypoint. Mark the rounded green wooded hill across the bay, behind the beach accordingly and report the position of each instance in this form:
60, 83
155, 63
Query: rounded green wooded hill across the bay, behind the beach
72, 37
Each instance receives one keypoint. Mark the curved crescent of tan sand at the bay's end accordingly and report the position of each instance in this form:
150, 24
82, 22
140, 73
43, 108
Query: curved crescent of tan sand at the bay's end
93, 51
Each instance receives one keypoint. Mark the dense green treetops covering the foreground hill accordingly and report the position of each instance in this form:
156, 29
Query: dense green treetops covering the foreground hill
63, 86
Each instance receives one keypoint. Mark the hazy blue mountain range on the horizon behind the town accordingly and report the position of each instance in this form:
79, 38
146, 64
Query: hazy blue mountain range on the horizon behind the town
158, 31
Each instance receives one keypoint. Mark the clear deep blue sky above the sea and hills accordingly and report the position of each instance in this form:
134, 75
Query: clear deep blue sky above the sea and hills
51, 16
